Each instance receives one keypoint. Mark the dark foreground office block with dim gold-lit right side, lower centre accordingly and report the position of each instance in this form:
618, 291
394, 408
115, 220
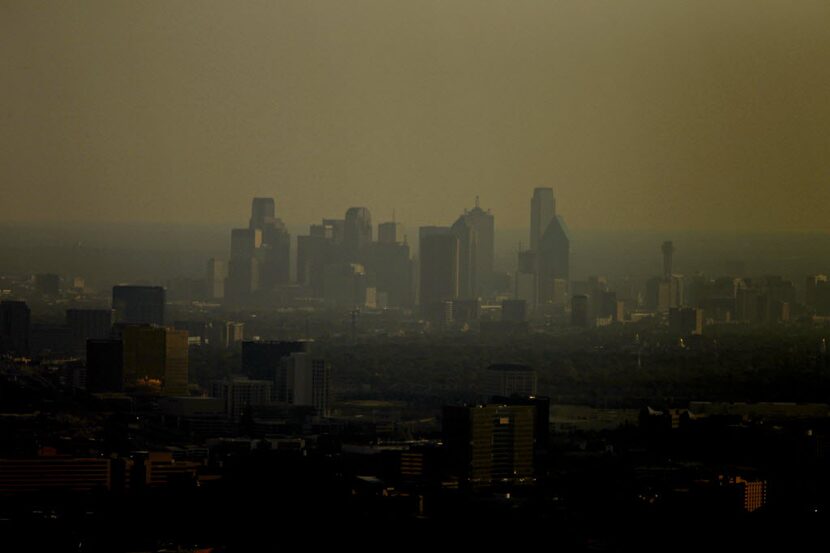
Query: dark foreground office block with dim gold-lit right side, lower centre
490, 443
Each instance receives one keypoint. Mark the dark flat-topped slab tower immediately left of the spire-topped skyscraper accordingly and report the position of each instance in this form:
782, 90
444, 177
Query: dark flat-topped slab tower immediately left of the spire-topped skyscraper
439, 259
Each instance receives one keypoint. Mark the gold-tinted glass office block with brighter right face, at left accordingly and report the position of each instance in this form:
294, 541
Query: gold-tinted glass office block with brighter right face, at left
156, 356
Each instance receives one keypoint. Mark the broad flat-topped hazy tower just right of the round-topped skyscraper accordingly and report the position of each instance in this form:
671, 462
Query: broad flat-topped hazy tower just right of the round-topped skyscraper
392, 270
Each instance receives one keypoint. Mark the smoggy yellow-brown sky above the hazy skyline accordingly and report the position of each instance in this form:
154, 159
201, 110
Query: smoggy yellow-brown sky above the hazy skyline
640, 114
